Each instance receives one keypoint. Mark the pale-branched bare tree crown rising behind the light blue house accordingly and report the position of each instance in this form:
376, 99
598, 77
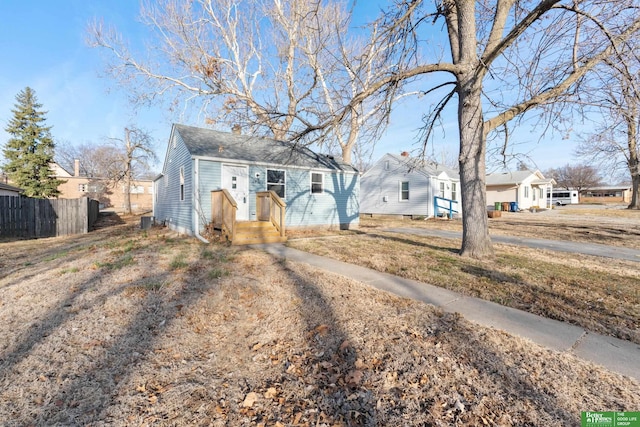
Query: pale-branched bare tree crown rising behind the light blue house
275, 67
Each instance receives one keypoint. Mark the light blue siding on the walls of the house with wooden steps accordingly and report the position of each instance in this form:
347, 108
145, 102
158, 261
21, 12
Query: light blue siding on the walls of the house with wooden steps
337, 206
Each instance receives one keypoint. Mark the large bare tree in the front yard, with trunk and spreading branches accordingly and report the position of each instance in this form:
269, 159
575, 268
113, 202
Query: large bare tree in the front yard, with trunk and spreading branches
504, 58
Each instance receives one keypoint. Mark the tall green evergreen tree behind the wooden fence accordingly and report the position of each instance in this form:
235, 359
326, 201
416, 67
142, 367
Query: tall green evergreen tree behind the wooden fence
30, 149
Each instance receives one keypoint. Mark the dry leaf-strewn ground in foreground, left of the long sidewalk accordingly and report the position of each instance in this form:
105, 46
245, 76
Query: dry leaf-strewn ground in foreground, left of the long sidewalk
131, 327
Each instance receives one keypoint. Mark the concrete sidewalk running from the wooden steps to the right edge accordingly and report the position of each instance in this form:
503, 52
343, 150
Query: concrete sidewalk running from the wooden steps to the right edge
615, 354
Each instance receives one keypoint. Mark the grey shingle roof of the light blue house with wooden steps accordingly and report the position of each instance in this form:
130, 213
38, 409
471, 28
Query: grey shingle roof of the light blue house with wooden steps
230, 146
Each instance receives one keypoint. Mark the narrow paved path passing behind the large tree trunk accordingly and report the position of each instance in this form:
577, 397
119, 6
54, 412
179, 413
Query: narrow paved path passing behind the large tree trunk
552, 245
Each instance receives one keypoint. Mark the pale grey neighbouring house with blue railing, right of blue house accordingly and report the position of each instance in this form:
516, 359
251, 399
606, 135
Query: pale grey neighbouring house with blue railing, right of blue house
400, 185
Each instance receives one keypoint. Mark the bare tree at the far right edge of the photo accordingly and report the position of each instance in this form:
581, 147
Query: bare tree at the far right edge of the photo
614, 142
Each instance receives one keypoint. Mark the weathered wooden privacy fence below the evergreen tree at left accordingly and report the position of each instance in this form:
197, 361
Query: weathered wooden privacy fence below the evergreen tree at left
26, 217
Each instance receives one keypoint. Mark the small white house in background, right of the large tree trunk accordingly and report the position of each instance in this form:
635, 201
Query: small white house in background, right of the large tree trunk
526, 188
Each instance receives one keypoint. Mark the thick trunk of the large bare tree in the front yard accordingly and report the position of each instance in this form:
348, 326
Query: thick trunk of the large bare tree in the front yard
476, 242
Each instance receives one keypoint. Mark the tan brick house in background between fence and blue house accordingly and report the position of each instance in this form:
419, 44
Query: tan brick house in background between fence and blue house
108, 194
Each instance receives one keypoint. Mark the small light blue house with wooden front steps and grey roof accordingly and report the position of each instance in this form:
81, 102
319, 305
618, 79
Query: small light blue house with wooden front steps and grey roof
230, 181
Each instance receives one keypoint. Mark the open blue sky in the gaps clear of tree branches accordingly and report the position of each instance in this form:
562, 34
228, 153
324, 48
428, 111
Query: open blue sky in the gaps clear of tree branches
43, 45
